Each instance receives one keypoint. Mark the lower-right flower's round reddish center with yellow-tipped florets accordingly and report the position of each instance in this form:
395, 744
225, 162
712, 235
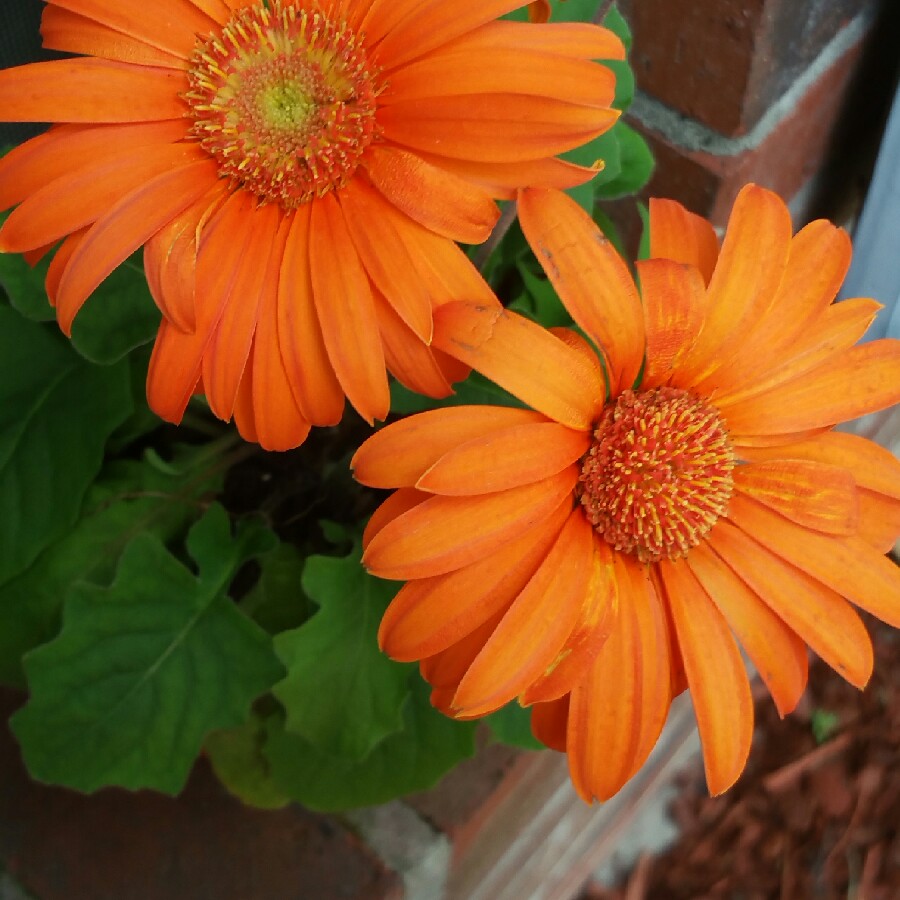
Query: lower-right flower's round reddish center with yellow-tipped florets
658, 474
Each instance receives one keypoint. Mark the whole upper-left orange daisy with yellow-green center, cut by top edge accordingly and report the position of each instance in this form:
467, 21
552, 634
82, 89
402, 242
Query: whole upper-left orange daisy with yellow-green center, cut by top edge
298, 172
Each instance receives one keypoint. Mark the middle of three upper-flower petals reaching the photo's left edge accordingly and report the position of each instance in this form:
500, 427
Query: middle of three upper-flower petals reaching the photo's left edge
64, 148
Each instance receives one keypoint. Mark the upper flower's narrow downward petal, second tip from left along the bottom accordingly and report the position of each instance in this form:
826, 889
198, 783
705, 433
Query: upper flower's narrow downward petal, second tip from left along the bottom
229, 348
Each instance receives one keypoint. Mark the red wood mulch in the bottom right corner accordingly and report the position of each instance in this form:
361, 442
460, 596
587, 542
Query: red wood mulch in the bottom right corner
808, 818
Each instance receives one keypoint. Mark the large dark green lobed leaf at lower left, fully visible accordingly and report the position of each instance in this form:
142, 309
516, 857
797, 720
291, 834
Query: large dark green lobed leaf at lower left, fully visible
143, 670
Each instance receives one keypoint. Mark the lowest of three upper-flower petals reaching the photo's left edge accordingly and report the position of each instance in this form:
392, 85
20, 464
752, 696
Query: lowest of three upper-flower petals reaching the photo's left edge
85, 195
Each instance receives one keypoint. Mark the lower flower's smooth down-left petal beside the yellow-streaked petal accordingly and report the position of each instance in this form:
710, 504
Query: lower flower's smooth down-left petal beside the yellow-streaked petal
534, 630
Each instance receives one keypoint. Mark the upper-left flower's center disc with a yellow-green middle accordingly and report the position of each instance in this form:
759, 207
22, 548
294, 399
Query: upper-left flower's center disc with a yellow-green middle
284, 100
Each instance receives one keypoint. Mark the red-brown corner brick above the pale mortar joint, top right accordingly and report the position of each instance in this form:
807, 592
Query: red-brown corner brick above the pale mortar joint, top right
725, 62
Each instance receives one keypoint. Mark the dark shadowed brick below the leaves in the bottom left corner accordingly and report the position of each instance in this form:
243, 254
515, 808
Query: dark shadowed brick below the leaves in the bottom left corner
116, 845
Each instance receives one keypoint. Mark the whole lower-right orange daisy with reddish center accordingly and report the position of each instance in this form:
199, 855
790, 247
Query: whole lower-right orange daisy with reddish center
672, 491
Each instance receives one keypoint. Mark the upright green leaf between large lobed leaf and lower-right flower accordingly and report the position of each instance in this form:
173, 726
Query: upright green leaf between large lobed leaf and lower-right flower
335, 655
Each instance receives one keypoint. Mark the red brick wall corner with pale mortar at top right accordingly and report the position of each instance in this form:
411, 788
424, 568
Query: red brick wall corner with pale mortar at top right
791, 94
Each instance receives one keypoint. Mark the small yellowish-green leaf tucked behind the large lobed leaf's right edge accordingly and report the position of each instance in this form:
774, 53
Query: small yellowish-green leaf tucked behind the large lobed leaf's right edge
238, 761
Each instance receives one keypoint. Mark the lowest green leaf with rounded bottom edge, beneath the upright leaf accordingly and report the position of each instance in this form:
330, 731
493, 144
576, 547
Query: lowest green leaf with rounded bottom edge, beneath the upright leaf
413, 759
